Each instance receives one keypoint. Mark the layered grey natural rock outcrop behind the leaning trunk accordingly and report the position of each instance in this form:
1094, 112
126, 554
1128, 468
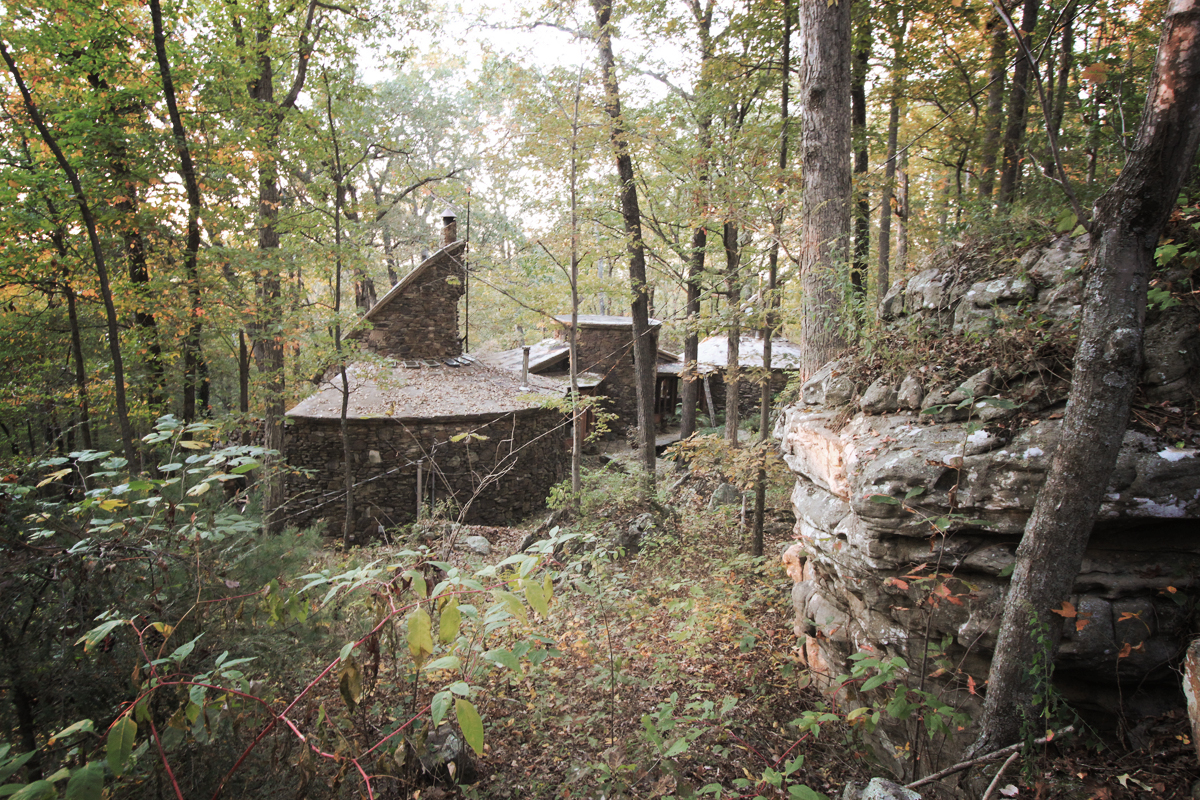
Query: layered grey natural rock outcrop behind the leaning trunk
908, 524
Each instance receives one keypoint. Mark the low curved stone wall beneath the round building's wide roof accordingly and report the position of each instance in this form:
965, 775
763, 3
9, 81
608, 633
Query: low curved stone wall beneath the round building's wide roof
482, 468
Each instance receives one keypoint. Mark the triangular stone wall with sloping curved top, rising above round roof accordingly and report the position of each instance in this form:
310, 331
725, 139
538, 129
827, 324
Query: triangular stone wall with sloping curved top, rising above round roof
421, 321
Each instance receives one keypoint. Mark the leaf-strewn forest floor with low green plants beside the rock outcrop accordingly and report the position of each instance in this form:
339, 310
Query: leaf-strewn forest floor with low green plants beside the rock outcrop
679, 675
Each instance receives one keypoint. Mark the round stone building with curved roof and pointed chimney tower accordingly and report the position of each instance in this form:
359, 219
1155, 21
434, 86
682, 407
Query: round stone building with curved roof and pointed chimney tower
428, 423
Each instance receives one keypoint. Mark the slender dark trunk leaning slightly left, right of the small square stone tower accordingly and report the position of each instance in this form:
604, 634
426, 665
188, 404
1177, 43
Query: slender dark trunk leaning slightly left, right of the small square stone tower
645, 358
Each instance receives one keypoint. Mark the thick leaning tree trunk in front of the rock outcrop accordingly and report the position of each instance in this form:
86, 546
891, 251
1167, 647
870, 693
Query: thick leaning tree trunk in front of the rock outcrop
1126, 228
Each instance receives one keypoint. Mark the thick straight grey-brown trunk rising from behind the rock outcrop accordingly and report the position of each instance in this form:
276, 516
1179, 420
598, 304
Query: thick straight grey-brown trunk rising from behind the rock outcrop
825, 46
